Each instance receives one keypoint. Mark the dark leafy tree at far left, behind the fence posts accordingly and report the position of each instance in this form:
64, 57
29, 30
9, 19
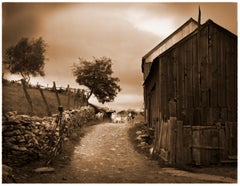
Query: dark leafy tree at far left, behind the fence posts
26, 58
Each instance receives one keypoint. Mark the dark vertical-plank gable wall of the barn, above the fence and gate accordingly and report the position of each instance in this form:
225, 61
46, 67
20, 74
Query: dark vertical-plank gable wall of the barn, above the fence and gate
200, 75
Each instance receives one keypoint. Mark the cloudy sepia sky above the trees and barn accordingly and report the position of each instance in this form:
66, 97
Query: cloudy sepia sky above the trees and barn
123, 31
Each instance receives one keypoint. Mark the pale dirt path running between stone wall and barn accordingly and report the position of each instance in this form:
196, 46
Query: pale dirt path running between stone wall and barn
105, 155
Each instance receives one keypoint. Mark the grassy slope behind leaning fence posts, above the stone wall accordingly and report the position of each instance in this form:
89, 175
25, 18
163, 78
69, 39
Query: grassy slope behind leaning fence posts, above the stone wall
13, 99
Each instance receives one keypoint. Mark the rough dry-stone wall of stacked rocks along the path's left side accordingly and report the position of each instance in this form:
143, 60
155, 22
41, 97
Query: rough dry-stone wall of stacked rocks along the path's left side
27, 138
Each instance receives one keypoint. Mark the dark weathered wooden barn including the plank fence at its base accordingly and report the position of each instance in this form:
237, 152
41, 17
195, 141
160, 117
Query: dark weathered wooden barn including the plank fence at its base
190, 94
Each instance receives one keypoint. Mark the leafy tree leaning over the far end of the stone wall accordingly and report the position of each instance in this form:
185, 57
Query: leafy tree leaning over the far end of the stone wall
96, 75
